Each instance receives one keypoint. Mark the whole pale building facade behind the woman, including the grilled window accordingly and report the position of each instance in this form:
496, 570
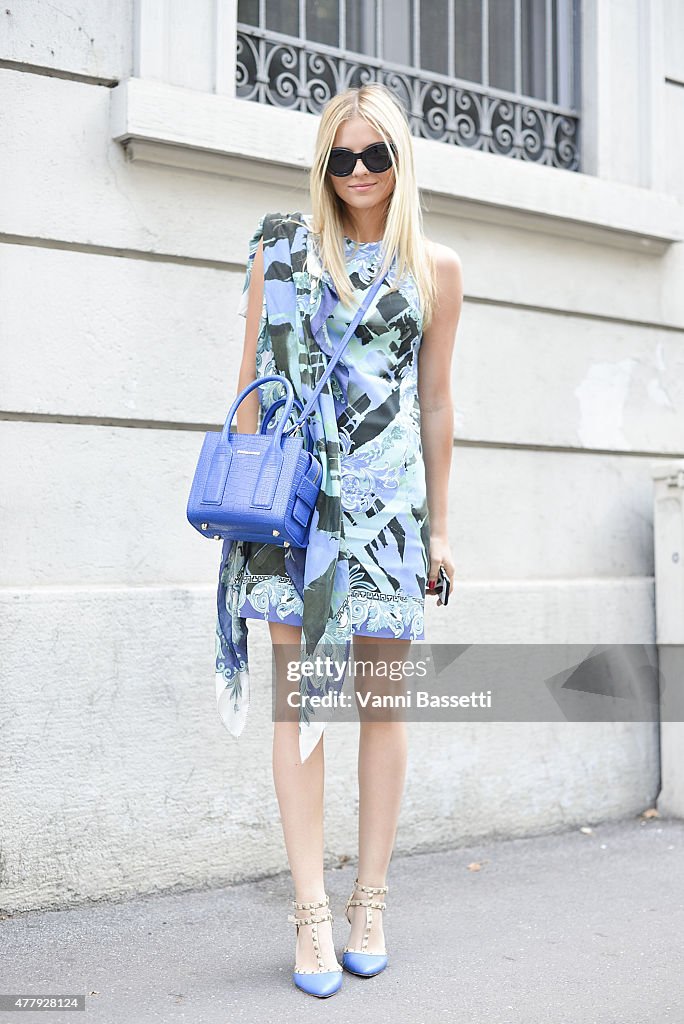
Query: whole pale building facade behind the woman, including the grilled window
141, 144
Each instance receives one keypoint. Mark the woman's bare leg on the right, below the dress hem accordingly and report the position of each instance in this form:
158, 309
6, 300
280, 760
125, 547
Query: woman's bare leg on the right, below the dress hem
382, 767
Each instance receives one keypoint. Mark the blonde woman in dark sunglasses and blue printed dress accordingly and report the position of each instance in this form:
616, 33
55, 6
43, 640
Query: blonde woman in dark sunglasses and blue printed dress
383, 433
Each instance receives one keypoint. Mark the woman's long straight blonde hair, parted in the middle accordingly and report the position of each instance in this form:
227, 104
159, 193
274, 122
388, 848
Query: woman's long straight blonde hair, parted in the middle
404, 222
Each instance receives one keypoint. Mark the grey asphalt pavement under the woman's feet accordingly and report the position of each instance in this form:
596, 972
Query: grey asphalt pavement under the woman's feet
565, 928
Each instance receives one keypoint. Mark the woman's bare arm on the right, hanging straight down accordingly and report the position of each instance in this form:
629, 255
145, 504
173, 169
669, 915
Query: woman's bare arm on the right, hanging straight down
435, 393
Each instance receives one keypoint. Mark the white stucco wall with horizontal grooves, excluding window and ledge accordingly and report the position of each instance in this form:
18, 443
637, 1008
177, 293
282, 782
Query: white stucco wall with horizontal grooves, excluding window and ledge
119, 287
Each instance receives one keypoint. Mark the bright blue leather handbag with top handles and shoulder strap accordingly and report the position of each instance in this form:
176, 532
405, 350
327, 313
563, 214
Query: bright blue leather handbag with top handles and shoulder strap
264, 487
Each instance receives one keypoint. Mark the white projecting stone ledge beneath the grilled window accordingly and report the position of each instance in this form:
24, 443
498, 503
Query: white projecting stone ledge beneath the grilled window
180, 127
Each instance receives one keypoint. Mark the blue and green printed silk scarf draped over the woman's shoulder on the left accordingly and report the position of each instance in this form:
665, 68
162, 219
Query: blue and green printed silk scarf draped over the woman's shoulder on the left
298, 298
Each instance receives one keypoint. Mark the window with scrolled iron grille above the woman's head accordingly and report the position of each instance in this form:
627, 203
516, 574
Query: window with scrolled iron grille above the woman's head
501, 76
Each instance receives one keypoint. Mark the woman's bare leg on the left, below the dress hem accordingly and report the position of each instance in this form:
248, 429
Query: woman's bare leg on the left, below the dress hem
300, 788
